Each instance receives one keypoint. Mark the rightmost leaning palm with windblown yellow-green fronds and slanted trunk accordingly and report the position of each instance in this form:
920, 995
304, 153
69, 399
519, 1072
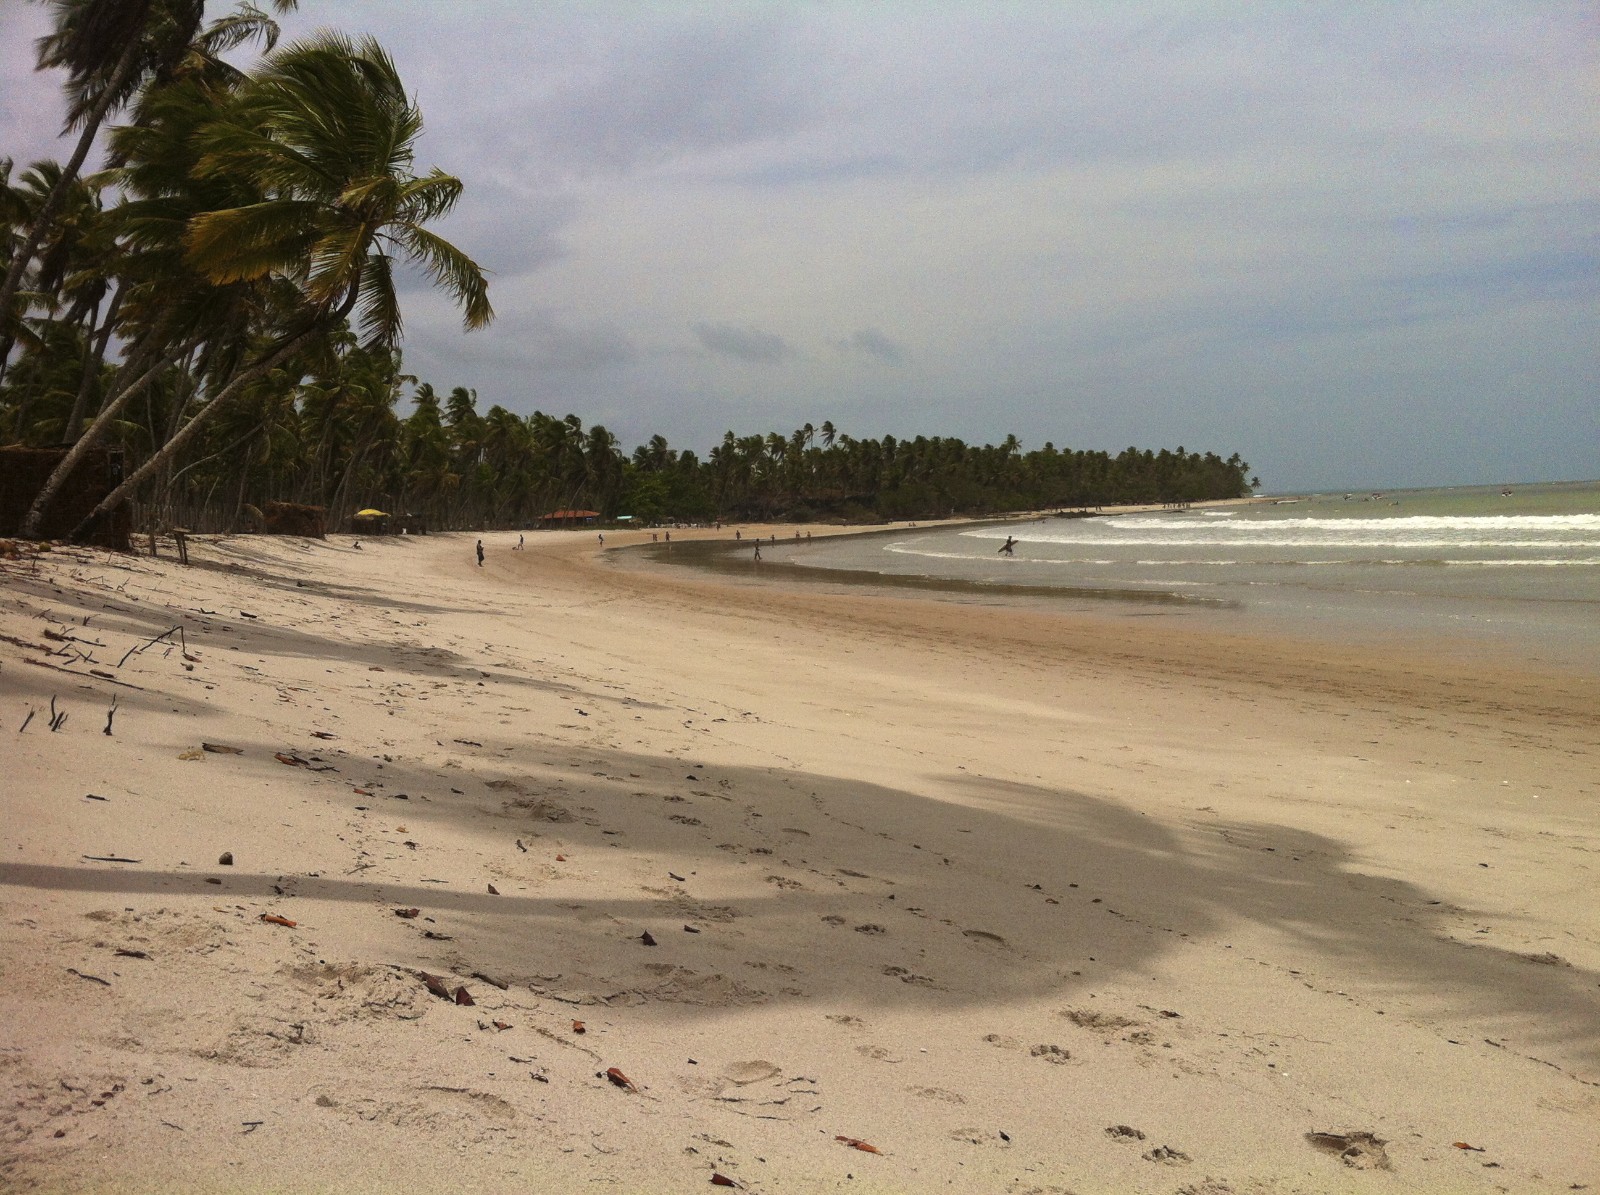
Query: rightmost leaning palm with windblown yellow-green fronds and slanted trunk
326, 134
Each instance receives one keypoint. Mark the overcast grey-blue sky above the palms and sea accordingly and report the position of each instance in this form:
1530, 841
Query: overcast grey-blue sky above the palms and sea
1356, 242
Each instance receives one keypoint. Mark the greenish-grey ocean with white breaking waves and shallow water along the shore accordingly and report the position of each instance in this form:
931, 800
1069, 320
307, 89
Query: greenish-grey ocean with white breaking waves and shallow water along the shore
1513, 572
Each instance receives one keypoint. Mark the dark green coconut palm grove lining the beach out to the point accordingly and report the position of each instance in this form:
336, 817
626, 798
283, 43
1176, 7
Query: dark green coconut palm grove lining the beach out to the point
218, 303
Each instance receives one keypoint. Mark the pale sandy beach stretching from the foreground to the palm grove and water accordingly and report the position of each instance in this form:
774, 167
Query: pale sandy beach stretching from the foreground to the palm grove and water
564, 874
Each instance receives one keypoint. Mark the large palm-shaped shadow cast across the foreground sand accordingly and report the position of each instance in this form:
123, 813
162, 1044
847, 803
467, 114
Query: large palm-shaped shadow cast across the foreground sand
807, 887
